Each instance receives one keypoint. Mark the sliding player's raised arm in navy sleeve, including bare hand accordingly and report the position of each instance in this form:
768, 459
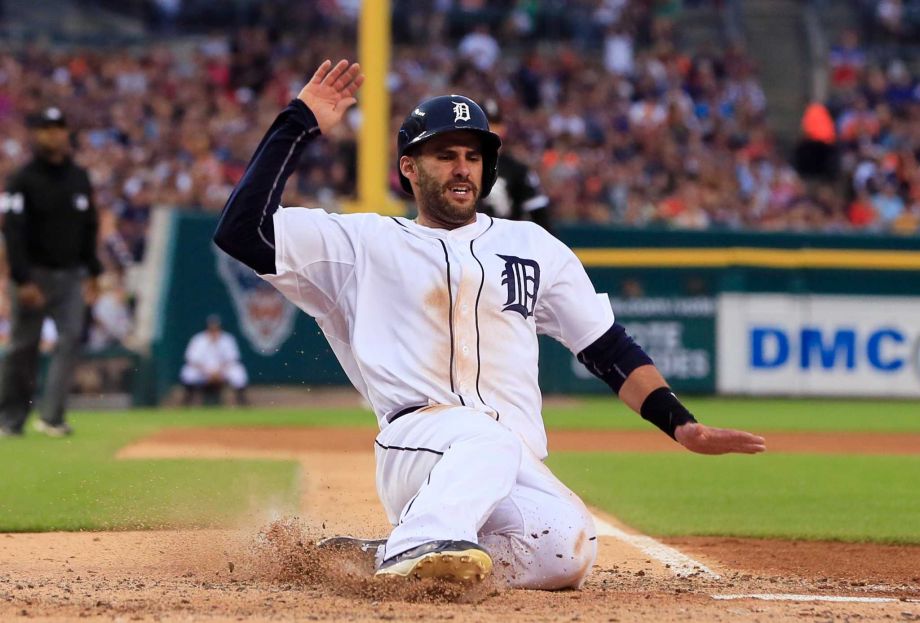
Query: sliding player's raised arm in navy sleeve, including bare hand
246, 227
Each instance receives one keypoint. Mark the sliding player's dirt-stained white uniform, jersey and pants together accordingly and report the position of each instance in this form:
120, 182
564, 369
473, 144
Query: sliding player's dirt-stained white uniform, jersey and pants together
447, 322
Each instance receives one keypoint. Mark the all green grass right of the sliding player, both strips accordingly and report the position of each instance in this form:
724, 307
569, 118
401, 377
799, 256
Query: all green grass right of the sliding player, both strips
848, 498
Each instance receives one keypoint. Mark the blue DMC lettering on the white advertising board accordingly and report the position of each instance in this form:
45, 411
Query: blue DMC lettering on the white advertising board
884, 349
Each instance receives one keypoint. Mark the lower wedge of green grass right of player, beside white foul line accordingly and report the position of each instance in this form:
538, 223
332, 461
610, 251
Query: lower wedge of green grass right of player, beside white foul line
834, 497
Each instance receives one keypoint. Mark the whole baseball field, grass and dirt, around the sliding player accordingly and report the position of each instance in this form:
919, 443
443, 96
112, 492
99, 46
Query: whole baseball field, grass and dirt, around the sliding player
211, 514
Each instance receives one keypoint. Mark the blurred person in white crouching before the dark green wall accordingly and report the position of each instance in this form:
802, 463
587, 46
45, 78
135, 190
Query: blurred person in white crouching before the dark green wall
212, 359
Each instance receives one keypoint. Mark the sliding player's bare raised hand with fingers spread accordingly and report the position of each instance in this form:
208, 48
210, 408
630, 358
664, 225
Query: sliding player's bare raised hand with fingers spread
331, 91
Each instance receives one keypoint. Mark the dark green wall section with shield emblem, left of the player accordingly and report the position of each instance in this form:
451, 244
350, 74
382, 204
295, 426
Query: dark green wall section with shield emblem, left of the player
279, 344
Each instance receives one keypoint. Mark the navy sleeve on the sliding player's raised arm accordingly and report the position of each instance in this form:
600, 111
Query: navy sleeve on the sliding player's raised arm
245, 230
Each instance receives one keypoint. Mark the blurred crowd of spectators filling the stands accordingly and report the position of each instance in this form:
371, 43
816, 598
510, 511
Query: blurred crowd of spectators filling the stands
624, 124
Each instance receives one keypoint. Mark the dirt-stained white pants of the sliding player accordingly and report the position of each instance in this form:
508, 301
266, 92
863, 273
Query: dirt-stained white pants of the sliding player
454, 473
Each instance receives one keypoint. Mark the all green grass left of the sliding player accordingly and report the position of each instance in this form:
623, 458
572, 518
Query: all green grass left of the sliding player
77, 484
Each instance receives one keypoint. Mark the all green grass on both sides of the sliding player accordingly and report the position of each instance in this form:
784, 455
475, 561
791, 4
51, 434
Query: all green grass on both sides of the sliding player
77, 484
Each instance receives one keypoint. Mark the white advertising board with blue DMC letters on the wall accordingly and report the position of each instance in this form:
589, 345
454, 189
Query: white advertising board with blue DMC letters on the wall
818, 345
